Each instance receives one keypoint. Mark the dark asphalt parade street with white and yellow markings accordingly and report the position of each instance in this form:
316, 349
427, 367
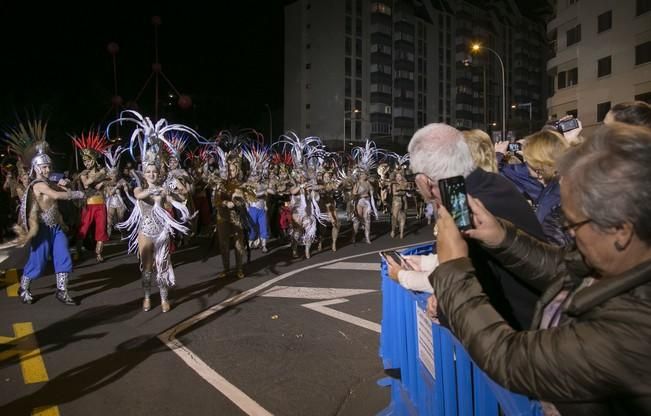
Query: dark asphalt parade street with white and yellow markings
294, 337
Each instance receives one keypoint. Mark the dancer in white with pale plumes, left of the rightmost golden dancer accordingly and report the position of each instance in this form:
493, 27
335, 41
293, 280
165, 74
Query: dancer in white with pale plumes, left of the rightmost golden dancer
363, 192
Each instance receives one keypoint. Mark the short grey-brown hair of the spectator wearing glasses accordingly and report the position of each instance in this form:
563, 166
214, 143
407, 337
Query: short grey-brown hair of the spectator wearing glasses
610, 175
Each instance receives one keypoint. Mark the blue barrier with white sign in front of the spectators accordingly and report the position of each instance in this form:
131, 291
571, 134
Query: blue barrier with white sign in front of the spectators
437, 376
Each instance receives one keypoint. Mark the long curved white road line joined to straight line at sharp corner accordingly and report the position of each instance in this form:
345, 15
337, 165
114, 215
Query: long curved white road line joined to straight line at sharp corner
239, 398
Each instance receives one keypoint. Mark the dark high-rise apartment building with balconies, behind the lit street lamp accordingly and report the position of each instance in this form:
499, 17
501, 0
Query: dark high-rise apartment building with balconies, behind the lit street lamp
358, 69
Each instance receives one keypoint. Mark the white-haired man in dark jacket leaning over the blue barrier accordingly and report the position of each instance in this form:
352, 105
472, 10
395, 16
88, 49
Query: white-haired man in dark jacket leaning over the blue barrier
439, 151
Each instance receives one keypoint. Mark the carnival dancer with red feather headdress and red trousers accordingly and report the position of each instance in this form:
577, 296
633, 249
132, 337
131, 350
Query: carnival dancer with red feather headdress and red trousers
93, 178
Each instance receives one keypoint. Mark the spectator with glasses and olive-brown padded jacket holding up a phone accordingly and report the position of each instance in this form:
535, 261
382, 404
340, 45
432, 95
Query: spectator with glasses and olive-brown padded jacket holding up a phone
588, 348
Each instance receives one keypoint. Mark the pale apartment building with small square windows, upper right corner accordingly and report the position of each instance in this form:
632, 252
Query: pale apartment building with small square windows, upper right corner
601, 55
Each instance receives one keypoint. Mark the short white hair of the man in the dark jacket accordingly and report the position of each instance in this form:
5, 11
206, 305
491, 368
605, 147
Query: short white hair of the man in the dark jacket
440, 151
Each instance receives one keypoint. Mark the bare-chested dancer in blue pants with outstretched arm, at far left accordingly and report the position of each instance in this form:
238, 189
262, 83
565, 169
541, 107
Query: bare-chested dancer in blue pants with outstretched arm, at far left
39, 223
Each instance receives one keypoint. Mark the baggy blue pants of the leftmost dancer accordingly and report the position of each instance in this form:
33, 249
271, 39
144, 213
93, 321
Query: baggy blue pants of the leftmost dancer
48, 240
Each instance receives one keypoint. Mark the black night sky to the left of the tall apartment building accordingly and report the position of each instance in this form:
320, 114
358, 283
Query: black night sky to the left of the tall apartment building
230, 61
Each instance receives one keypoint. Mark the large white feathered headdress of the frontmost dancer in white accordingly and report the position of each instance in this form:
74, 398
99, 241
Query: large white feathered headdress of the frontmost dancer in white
149, 138
